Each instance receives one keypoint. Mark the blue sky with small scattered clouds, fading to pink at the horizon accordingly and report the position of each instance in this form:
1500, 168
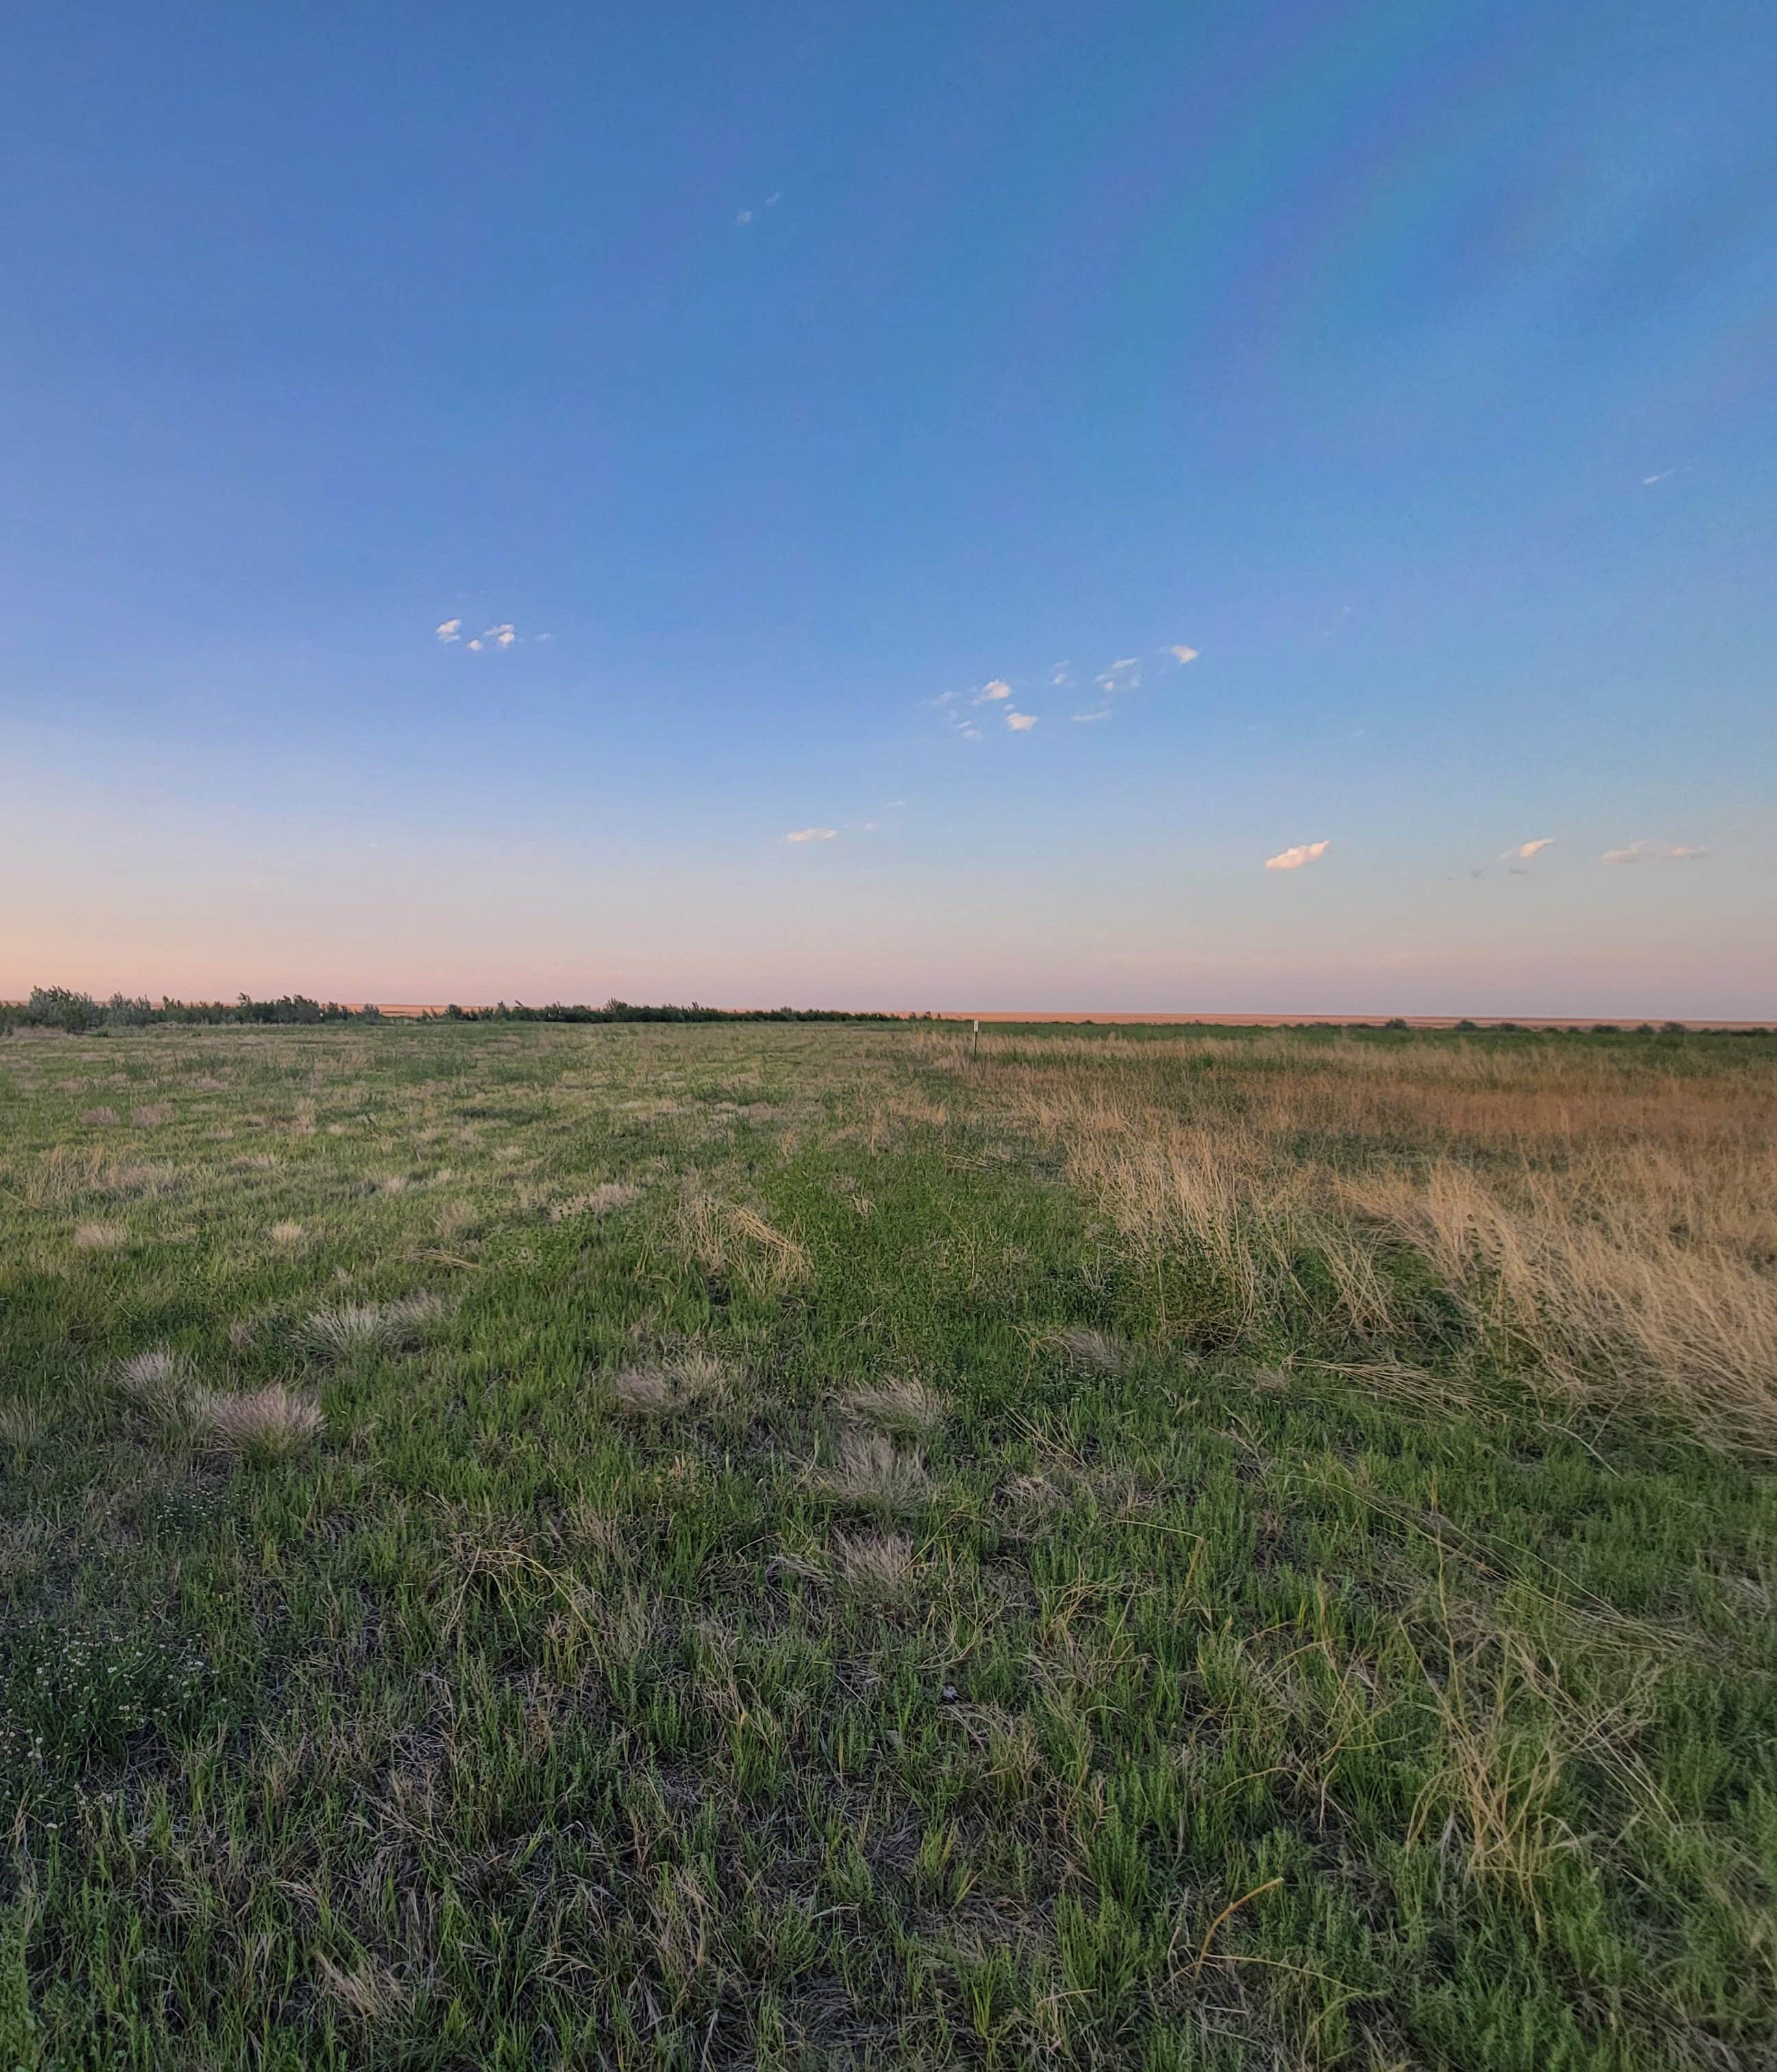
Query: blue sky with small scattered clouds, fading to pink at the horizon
1006, 507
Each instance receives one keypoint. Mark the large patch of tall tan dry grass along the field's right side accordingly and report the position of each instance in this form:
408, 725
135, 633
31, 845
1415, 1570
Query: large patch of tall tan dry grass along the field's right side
1604, 1217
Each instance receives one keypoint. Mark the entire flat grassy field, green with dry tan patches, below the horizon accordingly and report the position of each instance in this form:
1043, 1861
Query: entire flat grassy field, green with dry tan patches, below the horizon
790, 1547
